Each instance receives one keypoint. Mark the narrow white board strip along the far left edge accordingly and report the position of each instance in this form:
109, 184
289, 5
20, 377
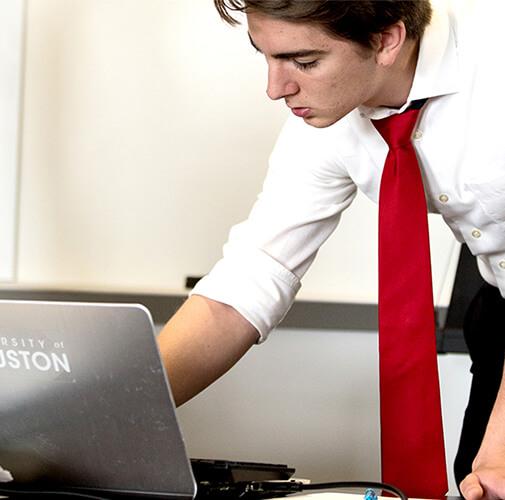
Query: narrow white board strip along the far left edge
11, 57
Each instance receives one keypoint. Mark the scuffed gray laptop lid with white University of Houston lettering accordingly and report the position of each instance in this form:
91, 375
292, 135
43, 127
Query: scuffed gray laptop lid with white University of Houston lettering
84, 400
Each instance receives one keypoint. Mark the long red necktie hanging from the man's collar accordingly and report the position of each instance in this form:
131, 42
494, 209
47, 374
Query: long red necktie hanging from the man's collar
412, 443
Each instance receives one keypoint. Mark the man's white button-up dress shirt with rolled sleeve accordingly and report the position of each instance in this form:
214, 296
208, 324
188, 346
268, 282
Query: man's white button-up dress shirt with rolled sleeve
314, 173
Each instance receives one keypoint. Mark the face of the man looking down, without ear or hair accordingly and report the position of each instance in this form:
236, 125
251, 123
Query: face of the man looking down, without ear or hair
321, 78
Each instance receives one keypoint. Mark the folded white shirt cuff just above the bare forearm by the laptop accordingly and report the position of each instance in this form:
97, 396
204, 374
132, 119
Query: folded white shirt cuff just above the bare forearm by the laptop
255, 285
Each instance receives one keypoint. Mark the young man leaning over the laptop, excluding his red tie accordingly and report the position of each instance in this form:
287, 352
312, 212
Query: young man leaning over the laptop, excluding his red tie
338, 65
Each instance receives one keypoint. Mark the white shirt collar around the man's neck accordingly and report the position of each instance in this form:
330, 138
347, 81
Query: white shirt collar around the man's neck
437, 70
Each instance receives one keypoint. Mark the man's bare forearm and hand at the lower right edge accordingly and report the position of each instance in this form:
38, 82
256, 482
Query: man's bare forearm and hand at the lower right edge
487, 480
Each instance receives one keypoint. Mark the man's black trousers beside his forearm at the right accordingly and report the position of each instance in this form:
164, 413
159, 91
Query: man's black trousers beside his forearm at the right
484, 331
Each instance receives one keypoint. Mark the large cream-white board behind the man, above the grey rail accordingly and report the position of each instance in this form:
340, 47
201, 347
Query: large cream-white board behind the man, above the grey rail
146, 135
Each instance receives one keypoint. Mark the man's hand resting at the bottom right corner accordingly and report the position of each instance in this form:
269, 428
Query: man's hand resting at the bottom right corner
485, 483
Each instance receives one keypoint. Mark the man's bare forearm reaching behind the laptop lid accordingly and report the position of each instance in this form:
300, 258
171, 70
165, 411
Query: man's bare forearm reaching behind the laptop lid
202, 341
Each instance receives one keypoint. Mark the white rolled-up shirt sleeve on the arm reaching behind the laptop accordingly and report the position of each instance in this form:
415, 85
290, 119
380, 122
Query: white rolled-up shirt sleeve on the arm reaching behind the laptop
305, 191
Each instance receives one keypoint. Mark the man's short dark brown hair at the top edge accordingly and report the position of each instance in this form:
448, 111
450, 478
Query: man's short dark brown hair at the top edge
356, 20
